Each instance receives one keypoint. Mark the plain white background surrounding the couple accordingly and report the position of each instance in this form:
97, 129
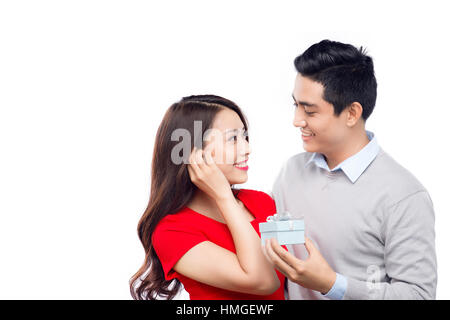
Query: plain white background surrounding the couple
84, 85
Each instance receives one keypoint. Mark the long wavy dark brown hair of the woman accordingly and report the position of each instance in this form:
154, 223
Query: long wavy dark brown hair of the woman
171, 187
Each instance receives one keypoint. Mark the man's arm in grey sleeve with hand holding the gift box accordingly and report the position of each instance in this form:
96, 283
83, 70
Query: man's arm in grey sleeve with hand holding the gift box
410, 257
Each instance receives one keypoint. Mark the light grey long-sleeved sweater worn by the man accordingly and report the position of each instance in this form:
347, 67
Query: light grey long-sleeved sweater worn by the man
378, 232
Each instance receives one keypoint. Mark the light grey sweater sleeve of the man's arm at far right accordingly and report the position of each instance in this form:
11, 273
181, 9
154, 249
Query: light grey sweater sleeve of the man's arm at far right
410, 257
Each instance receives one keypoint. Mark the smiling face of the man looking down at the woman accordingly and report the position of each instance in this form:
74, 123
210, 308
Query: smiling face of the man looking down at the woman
322, 131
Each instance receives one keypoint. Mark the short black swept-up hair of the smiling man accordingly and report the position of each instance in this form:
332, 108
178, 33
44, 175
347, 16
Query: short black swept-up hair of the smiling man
346, 73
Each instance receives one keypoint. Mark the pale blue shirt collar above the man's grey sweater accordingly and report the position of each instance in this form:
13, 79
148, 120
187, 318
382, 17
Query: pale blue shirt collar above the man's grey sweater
355, 165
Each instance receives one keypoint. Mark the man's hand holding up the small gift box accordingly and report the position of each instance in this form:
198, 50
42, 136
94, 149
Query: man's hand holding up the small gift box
313, 273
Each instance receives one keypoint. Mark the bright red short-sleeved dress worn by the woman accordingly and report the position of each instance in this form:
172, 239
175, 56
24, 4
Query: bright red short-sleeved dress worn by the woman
177, 233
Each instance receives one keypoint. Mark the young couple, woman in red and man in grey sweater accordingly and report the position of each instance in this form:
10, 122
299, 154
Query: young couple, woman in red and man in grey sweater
369, 224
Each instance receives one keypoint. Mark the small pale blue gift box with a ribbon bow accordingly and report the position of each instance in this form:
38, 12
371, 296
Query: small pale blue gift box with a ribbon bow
283, 228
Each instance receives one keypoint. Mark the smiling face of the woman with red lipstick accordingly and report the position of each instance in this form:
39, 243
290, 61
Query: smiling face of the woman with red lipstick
228, 144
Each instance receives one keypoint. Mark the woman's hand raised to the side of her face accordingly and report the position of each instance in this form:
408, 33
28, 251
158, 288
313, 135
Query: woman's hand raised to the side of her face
205, 174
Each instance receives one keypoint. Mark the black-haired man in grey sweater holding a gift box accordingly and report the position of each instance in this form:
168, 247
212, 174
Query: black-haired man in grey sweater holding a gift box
369, 223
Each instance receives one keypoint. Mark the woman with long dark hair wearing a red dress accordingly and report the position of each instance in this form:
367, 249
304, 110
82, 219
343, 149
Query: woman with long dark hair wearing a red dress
197, 229
